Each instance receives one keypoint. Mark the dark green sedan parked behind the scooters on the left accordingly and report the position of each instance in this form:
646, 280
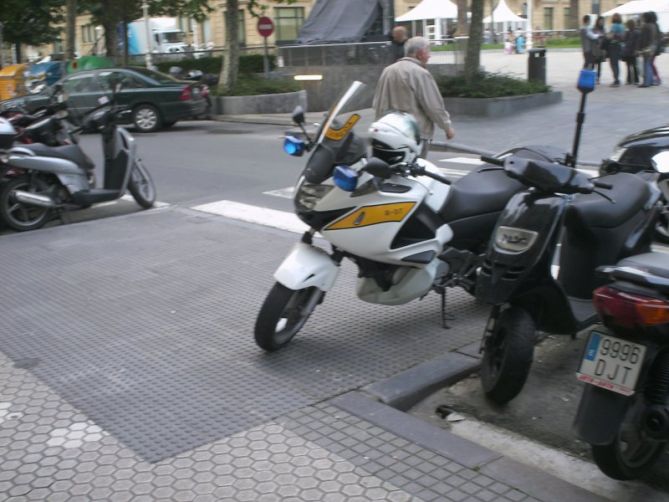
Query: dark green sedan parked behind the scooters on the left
155, 99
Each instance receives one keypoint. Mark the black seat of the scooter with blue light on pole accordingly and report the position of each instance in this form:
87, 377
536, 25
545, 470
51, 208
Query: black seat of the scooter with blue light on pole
629, 192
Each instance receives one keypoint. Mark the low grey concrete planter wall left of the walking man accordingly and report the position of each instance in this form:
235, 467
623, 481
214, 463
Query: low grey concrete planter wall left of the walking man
264, 103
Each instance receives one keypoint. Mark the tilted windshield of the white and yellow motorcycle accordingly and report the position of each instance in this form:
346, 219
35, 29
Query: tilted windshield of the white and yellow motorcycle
335, 139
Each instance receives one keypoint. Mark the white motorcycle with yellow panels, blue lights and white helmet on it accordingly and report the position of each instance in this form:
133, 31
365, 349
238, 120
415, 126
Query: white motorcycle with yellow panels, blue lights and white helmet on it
405, 226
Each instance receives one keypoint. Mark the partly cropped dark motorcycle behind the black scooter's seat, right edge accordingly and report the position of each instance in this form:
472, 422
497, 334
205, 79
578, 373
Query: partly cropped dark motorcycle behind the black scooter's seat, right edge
635, 154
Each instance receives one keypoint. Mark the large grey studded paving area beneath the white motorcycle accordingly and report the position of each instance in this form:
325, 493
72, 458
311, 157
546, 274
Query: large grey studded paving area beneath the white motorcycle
145, 323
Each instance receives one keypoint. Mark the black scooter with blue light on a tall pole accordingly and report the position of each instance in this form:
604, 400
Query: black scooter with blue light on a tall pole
560, 214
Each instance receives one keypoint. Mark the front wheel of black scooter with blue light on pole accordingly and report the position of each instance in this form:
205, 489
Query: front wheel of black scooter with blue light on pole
507, 355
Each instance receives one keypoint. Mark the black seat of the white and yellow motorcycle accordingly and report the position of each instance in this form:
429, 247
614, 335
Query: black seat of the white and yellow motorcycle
479, 193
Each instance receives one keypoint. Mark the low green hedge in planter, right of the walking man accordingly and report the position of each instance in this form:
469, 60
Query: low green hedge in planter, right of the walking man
488, 85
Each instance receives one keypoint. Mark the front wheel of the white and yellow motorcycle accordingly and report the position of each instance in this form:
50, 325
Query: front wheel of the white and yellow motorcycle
283, 314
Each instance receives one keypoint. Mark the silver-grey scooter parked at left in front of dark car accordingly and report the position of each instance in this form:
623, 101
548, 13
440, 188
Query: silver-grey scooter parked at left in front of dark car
49, 180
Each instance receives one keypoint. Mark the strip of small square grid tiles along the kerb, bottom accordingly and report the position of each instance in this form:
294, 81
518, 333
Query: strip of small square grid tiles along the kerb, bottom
420, 472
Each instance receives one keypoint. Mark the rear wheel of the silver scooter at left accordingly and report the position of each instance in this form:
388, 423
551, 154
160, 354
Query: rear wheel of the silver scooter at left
19, 216
